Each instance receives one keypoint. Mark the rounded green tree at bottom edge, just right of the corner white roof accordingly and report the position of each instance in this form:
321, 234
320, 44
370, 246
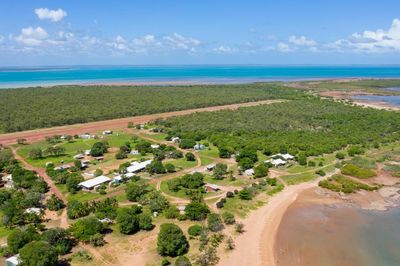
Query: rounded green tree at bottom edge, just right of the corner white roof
38, 253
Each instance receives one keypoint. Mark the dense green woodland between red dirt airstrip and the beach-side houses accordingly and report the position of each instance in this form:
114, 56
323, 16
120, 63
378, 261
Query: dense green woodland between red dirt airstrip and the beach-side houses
308, 126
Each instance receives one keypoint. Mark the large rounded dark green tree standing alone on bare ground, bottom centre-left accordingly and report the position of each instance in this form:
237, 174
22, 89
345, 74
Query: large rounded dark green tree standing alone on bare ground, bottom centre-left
171, 241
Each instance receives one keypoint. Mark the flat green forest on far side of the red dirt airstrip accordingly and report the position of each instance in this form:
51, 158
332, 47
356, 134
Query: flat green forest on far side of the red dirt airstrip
30, 108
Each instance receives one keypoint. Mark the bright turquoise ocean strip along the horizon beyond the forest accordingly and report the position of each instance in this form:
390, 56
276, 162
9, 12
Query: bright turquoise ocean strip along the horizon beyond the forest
14, 77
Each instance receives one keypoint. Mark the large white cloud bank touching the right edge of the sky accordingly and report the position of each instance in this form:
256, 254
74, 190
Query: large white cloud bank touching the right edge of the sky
377, 41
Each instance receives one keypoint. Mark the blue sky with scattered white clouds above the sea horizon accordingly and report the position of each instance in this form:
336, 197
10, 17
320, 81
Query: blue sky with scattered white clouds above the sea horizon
199, 32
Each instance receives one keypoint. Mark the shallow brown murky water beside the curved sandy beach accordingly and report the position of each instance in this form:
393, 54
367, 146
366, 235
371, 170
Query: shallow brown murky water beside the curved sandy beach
330, 235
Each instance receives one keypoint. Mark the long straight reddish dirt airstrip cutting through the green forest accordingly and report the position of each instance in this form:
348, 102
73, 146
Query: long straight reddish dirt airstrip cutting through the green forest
121, 123
